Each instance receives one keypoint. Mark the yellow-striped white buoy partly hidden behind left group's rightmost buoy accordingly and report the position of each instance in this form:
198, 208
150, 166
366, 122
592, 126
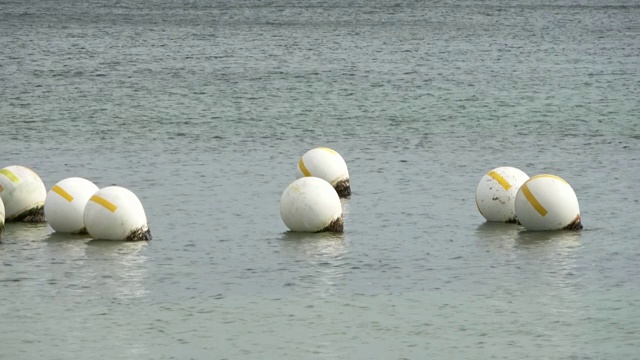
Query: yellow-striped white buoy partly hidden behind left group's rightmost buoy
65, 202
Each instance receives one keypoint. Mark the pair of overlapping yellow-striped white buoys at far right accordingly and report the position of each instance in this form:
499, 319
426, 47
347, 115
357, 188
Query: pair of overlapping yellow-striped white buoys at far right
538, 203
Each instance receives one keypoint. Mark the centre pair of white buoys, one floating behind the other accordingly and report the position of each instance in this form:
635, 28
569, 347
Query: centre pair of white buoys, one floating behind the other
311, 203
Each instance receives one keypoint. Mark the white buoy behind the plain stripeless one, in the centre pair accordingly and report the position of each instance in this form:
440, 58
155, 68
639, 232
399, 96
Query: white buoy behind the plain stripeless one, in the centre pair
326, 164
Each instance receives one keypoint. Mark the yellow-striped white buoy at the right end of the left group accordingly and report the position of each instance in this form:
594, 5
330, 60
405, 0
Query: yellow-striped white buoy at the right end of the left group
116, 213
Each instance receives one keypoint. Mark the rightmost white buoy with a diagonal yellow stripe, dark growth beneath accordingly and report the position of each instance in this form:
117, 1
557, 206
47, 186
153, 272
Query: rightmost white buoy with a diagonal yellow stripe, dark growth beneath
547, 202
